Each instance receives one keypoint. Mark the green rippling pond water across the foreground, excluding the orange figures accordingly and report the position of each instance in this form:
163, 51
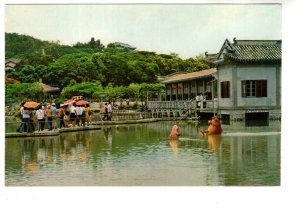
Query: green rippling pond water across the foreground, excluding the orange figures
142, 155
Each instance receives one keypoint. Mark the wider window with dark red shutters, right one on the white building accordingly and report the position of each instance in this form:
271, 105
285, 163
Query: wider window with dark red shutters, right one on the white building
254, 88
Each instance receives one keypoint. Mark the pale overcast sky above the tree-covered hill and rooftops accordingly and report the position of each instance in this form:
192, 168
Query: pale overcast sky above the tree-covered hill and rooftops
188, 29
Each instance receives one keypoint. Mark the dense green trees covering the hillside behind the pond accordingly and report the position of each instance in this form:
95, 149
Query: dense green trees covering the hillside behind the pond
63, 65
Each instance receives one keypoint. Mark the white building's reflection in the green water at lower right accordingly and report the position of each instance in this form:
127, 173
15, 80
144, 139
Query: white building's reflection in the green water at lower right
250, 160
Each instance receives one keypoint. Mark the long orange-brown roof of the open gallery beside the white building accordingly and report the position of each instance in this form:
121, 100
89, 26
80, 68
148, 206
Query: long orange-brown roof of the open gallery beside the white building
190, 76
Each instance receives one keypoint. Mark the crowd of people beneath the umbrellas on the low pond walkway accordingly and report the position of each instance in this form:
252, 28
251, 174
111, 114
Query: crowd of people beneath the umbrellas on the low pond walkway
54, 117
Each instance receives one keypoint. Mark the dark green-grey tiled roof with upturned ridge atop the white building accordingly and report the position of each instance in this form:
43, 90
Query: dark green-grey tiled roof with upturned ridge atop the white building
254, 51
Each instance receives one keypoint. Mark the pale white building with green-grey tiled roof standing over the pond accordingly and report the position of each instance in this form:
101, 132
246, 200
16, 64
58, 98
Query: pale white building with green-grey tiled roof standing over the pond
249, 79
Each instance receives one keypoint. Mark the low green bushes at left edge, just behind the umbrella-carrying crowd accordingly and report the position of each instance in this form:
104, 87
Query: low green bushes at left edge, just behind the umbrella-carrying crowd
25, 91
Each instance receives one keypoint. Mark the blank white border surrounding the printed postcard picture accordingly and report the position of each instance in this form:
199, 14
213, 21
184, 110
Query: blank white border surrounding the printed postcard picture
182, 199
